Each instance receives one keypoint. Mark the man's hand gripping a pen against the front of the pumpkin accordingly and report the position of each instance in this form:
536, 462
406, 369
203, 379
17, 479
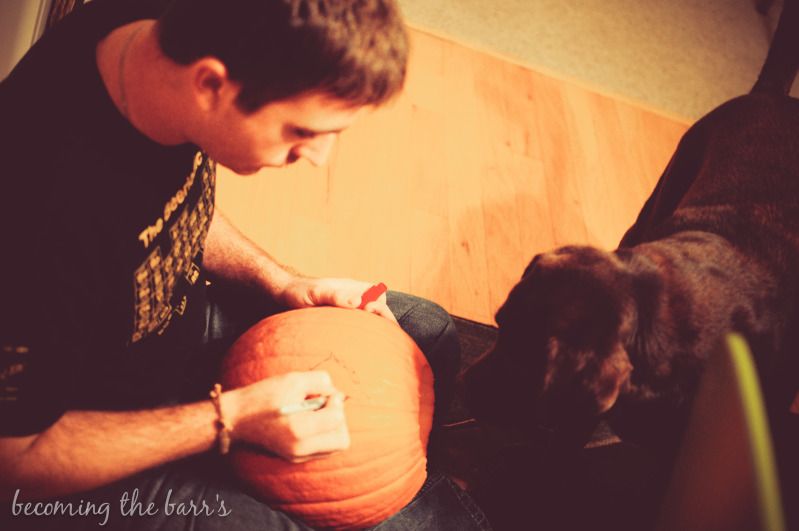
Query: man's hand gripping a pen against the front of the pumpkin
296, 437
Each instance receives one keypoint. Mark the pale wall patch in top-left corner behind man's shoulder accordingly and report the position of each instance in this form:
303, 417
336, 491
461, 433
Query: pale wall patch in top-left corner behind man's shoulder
21, 23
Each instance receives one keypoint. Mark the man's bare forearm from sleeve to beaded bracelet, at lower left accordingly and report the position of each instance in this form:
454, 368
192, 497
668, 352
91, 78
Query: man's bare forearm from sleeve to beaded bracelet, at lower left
87, 449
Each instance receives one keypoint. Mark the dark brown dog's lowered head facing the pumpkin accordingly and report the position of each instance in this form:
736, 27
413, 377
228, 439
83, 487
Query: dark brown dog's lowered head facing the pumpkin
560, 358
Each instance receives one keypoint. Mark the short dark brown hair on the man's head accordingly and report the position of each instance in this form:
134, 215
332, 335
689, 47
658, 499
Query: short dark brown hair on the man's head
354, 50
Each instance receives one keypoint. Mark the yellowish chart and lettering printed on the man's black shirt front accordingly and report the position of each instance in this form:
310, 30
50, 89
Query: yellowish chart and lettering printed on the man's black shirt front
173, 260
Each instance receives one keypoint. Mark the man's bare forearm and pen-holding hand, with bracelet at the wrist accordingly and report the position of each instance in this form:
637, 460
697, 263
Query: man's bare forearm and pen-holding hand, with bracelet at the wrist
88, 449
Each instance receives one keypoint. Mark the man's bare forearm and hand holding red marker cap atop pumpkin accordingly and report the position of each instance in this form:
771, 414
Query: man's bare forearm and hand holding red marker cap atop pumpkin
231, 256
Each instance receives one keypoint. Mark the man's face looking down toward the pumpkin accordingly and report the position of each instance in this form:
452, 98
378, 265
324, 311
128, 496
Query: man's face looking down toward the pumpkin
278, 133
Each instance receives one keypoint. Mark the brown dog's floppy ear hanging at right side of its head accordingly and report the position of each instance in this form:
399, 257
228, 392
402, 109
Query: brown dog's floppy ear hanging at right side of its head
581, 383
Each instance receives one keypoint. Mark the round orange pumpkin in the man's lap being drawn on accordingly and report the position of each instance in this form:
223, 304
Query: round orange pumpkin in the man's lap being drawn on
389, 413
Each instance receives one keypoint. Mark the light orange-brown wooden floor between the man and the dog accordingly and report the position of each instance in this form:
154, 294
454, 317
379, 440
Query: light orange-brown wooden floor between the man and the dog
450, 191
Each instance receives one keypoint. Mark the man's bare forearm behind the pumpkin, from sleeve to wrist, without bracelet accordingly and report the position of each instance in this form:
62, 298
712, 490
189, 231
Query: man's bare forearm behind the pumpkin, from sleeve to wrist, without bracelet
231, 256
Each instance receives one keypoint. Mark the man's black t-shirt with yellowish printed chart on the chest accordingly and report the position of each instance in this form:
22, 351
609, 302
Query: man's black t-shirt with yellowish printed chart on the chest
102, 229
